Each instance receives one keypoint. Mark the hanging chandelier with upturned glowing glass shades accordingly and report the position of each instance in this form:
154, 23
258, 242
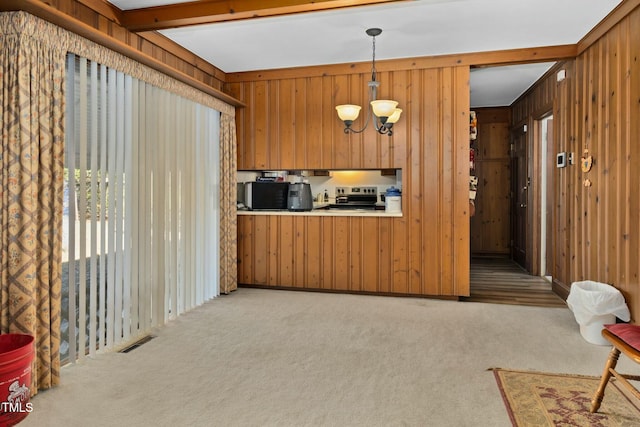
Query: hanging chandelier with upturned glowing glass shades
384, 111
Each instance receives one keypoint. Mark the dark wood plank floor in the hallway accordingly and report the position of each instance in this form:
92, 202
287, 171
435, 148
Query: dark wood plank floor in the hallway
502, 281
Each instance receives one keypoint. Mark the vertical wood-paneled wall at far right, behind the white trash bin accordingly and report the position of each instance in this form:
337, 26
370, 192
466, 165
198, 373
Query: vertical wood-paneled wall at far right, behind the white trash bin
597, 107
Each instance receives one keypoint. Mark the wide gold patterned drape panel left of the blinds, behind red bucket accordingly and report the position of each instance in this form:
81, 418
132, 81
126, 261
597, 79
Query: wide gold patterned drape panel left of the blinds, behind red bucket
32, 156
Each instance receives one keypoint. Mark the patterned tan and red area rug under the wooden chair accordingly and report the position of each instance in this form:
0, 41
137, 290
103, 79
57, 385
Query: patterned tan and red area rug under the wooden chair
543, 399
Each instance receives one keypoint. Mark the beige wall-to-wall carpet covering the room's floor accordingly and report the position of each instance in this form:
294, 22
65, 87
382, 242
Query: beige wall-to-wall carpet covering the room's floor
279, 358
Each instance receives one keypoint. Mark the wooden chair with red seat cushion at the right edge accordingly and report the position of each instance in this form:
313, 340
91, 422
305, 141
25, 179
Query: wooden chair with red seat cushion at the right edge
625, 339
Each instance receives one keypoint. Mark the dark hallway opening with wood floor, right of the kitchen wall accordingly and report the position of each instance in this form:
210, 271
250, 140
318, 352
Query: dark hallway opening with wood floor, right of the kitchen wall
501, 229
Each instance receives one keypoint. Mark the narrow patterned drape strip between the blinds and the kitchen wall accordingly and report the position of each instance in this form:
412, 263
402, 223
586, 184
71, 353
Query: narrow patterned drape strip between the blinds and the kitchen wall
228, 205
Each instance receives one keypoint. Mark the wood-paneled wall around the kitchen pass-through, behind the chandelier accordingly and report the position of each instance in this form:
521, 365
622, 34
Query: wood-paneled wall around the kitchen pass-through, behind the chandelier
291, 123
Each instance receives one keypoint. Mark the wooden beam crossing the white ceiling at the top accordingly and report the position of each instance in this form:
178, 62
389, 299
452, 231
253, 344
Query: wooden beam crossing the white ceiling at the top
211, 11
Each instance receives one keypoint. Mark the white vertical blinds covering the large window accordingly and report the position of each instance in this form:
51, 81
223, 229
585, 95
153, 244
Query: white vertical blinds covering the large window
141, 220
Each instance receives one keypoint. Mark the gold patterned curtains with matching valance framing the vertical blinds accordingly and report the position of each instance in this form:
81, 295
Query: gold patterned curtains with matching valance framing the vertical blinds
32, 68
